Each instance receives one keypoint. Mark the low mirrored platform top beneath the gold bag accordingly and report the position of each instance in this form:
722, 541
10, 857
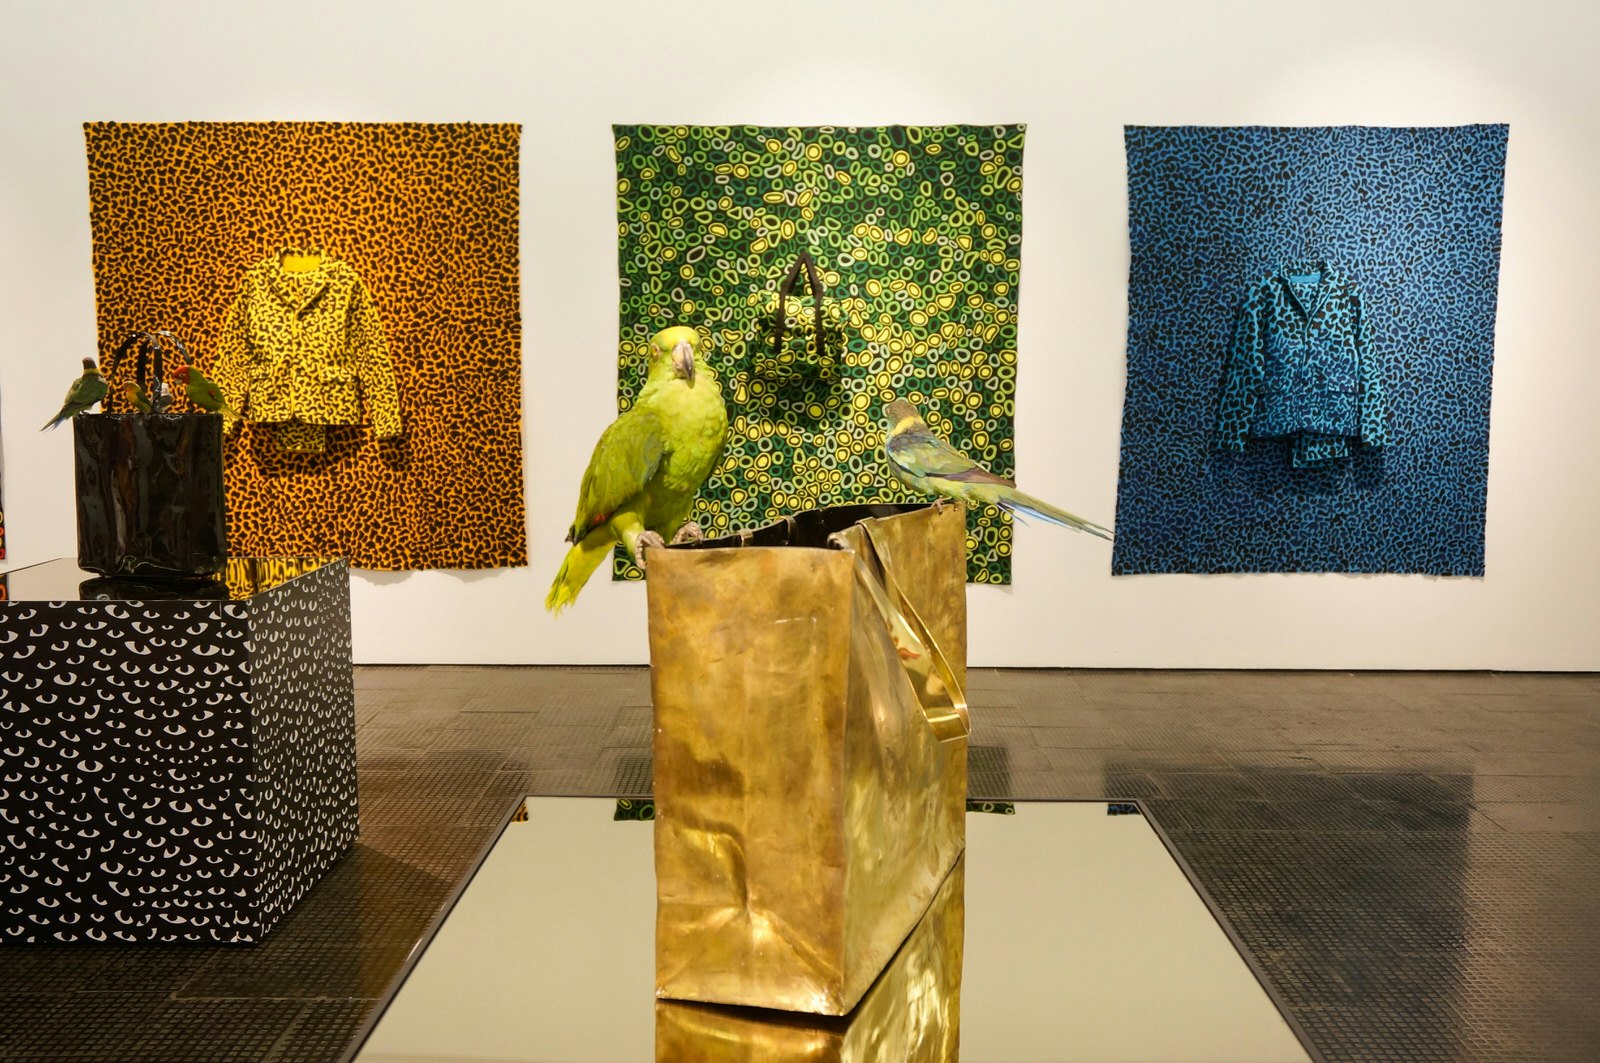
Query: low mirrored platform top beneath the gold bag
1082, 941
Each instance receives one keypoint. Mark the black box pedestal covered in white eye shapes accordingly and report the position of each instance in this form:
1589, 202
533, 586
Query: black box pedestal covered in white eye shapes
177, 763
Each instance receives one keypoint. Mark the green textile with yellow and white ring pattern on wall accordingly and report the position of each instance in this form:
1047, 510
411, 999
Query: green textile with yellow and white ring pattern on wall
918, 233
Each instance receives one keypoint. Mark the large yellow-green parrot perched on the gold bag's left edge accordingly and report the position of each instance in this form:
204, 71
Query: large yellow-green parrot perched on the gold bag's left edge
642, 479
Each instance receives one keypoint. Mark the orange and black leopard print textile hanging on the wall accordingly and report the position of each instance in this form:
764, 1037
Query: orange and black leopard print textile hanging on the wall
425, 217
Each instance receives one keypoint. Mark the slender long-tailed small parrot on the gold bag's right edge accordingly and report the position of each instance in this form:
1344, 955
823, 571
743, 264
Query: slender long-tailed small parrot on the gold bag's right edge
927, 463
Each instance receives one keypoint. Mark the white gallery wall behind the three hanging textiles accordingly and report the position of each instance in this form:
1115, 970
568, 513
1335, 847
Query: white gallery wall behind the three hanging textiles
1074, 73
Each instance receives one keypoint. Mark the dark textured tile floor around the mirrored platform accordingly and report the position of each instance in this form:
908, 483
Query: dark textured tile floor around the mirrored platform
1414, 859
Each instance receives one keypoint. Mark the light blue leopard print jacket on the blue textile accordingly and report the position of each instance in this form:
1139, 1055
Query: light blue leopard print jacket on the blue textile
1302, 367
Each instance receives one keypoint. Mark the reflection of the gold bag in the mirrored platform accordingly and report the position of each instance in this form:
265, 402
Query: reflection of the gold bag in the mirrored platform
911, 1014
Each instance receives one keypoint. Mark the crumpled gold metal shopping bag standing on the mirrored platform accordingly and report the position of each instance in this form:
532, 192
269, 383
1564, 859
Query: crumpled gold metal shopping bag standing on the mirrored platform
810, 750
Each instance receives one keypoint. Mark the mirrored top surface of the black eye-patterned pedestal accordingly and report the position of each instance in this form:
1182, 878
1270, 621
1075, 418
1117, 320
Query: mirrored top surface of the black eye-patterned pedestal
62, 580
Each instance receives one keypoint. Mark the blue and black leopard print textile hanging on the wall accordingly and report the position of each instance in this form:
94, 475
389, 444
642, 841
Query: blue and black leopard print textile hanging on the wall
1409, 222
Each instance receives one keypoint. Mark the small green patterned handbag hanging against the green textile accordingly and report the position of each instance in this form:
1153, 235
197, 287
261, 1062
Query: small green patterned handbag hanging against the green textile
793, 347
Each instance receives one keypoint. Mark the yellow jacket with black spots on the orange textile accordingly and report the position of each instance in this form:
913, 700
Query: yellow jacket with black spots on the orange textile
308, 347
